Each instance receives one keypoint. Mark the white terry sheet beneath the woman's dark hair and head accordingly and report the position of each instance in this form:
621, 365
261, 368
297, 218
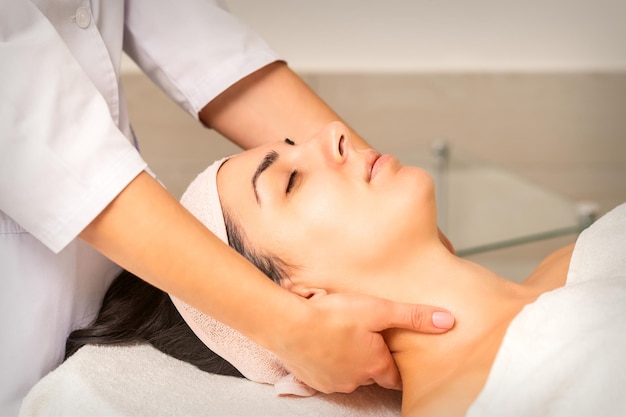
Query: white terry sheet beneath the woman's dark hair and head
141, 381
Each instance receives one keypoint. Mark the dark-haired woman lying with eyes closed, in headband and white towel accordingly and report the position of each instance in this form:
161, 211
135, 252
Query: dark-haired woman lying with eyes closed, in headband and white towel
319, 216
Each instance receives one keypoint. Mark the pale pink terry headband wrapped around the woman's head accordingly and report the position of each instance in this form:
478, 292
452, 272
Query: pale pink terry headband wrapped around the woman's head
255, 362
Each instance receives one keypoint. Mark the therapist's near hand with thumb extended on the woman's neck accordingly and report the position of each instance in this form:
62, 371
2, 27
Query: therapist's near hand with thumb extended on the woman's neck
338, 345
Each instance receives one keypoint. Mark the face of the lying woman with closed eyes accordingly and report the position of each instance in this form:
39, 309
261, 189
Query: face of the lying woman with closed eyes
331, 210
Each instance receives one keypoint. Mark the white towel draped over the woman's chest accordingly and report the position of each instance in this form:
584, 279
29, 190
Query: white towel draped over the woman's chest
565, 354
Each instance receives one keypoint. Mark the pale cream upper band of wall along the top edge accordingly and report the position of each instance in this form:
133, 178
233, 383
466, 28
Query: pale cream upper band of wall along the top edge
430, 35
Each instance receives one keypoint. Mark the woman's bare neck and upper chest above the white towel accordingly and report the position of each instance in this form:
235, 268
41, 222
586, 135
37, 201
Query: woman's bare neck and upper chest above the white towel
483, 303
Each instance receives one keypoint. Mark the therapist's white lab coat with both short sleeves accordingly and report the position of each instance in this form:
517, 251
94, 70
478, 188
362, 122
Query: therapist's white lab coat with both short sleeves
66, 148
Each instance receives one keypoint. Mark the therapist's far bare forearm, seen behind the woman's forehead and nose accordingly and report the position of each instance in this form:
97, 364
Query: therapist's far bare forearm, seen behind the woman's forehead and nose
267, 106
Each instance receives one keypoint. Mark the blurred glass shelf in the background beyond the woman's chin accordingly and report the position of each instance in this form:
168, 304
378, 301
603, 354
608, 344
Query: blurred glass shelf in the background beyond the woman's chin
483, 207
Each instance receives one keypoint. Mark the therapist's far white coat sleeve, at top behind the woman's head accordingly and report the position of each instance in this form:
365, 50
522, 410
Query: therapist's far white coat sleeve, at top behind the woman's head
192, 49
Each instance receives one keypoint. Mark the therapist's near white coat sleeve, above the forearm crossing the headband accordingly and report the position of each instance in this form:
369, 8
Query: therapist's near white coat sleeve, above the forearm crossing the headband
62, 157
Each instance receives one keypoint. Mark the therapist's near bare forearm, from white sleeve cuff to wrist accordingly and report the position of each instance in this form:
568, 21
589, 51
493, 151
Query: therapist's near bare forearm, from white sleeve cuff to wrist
146, 231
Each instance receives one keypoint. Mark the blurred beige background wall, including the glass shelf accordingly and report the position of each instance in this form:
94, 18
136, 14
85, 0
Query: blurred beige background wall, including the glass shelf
527, 100
